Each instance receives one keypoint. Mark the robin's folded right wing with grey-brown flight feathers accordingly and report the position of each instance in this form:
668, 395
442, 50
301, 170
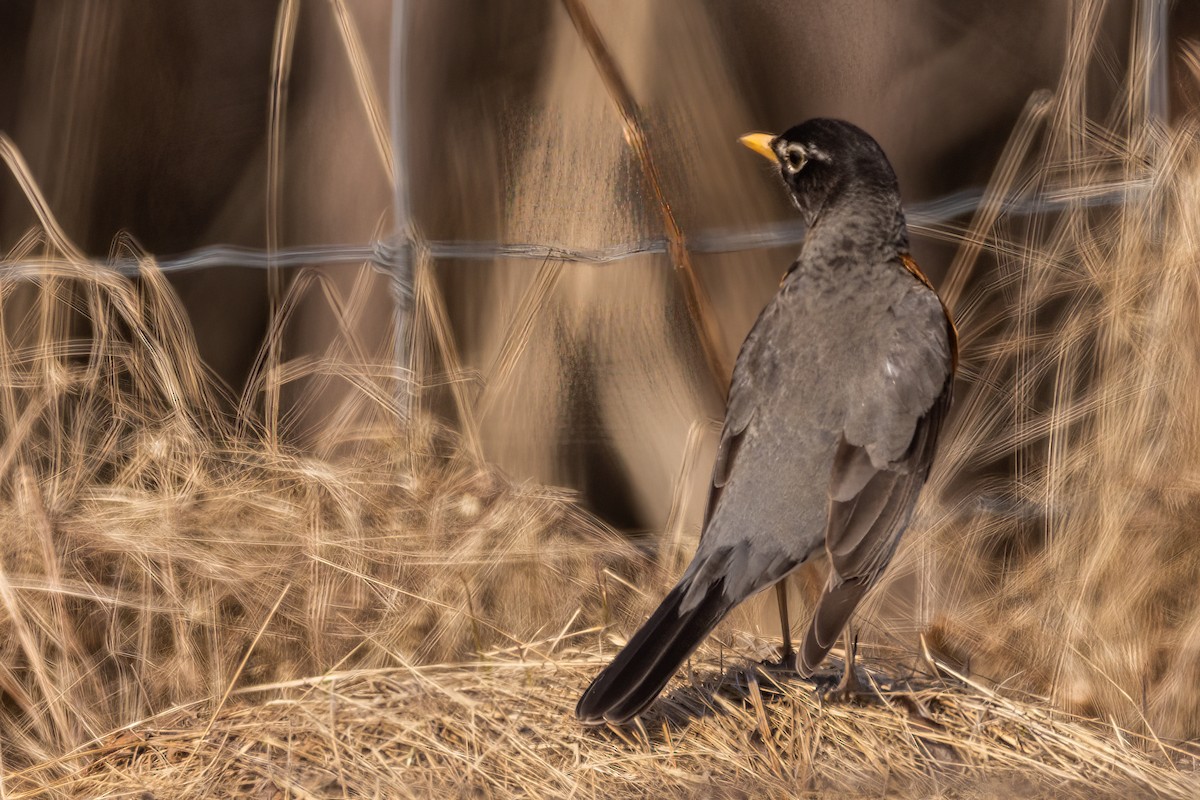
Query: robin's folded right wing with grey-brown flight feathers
883, 461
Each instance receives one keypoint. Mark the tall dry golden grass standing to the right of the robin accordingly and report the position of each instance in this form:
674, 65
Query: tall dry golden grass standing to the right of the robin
1067, 564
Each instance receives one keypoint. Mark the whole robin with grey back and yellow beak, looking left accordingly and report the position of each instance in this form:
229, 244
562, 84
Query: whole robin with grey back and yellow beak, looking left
837, 400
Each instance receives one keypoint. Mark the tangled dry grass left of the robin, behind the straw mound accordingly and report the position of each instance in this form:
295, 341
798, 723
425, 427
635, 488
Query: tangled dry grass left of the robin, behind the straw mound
157, 552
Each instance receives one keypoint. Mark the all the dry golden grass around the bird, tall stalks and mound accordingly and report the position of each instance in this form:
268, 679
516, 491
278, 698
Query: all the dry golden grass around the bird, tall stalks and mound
191, 609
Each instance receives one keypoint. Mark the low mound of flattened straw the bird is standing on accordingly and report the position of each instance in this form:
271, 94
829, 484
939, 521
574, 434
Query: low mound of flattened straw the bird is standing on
502, 727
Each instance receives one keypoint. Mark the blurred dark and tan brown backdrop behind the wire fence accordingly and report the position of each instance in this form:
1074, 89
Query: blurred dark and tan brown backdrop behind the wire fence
153, 119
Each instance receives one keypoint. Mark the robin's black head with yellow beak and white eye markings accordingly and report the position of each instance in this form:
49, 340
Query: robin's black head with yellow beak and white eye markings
825, 163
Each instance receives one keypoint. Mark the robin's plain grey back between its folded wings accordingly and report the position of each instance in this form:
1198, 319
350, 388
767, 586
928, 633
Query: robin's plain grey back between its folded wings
794, 386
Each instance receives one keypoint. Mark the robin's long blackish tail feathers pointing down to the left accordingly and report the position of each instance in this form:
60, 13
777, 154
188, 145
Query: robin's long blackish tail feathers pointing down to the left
628, 685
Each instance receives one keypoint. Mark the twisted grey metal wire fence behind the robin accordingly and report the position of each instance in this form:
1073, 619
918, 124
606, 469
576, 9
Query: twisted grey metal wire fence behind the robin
400, 254
